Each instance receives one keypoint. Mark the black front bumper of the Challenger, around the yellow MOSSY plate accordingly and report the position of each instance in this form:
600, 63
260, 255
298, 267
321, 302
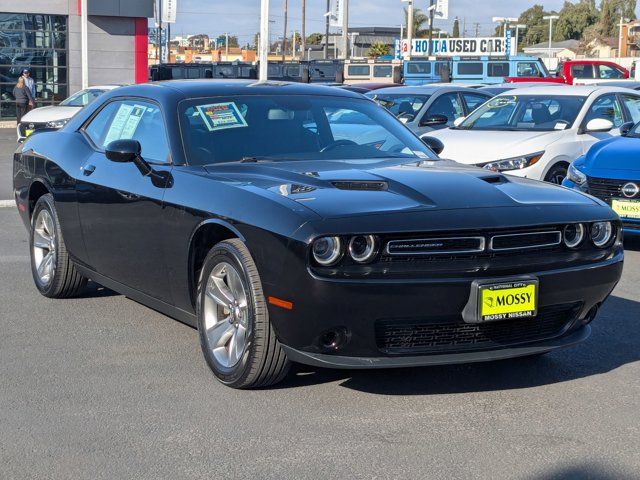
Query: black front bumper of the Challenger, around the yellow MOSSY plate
360, 310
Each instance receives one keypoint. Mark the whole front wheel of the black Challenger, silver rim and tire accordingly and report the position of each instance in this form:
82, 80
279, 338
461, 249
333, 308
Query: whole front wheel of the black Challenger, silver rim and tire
236, 336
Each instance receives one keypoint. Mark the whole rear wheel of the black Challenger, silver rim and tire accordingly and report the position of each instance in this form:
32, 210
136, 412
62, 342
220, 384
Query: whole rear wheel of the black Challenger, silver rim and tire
54, 273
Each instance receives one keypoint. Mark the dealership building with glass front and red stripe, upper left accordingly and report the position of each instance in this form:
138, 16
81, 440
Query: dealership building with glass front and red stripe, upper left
45, 36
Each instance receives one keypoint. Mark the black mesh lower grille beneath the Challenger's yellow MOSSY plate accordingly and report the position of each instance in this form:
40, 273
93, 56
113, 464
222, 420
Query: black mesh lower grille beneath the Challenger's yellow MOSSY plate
409, 337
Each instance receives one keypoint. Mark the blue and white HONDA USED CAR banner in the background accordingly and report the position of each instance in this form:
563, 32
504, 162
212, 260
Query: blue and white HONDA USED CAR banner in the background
460, 47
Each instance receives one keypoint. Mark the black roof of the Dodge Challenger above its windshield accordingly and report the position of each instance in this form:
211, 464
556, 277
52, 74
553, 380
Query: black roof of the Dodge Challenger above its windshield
209, 87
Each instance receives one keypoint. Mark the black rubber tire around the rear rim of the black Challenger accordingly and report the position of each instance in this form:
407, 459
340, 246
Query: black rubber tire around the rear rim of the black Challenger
65, 281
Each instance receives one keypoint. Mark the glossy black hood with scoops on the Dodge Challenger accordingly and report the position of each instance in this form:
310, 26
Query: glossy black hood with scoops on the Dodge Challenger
335, 189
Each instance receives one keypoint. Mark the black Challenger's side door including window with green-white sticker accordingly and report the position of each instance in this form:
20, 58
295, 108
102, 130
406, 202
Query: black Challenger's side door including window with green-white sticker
120, 209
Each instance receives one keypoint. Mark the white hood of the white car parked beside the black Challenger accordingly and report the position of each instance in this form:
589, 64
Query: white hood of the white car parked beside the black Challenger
482, 146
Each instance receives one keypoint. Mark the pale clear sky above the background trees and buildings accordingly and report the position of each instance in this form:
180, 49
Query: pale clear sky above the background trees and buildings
241, 17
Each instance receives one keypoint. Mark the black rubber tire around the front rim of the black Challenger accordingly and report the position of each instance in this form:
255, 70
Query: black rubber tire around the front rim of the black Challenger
264, 362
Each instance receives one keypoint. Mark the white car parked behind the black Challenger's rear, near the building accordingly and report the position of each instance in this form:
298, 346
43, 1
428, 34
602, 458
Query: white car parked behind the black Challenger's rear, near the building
56, 116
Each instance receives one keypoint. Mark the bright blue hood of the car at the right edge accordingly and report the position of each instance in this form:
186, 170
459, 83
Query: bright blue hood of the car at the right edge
612, 157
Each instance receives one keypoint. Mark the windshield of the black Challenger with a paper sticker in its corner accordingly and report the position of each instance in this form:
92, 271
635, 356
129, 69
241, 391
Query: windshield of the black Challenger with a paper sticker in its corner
278, 127
